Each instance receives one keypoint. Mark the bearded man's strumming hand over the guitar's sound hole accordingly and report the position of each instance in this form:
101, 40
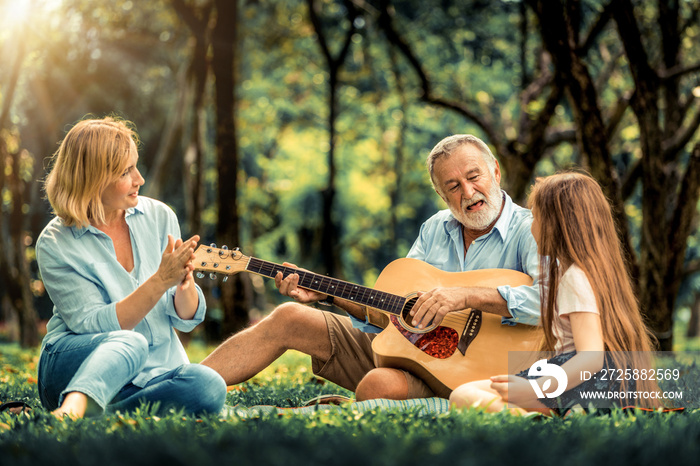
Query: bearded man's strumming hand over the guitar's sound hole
435, 304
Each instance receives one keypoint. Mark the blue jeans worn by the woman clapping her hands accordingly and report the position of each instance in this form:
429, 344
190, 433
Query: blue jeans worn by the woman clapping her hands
102, 366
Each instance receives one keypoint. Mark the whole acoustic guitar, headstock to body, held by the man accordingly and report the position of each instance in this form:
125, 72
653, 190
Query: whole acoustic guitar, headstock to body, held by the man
468, 345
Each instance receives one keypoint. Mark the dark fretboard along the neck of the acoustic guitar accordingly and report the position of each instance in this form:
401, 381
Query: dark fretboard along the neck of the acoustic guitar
362, 295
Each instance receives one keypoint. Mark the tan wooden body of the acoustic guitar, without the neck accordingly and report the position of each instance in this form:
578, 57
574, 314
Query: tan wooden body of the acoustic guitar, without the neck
487, 352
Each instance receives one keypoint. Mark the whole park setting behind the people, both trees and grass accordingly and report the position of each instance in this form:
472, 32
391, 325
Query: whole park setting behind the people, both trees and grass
297, 130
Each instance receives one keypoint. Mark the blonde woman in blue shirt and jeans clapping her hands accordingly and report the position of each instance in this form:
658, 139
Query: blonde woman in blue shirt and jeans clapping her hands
121, 281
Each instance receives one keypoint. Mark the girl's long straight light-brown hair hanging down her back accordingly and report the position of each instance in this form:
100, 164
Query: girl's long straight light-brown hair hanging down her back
577, 227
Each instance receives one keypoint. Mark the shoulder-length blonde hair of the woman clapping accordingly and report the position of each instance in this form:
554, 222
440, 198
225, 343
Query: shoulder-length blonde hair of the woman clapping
93, 154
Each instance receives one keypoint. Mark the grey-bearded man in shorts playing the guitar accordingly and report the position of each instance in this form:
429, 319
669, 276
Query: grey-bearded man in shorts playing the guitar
482, 229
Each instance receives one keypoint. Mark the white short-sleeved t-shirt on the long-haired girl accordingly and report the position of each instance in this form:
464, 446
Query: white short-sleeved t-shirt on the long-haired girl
575, 294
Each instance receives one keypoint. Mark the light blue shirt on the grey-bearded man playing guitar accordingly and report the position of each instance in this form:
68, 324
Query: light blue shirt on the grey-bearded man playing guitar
509, 245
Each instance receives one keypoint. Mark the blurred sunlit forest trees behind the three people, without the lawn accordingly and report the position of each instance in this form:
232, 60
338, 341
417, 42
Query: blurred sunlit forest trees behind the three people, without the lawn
298, 129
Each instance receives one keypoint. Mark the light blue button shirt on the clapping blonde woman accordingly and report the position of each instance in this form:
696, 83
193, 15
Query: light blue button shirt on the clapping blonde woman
81, 273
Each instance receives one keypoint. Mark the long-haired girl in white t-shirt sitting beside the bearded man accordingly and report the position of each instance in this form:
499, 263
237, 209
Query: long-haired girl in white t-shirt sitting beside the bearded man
590, 315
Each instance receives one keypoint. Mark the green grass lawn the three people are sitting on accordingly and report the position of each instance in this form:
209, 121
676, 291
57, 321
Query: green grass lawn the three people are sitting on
388, 437
